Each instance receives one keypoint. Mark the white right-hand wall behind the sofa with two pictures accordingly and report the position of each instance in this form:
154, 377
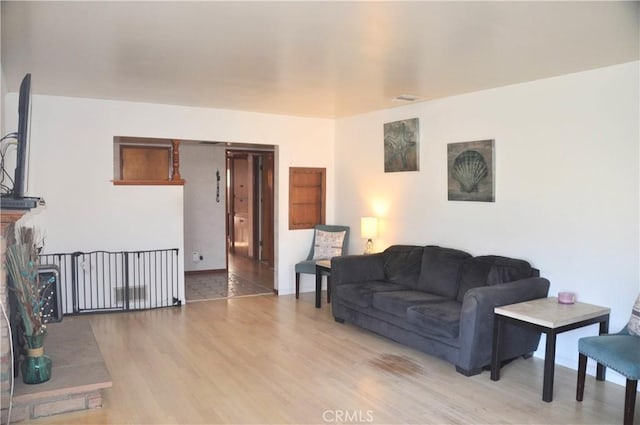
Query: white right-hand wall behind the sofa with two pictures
567, 183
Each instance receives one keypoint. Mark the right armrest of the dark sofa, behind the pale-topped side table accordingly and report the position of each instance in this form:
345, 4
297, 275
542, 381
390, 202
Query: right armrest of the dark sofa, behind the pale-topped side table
476, 321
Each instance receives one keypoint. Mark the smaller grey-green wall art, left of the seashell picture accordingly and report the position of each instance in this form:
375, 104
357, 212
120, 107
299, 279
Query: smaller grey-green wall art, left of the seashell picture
401, 145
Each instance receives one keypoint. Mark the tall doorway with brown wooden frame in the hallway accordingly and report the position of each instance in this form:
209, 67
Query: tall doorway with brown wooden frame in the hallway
250, 211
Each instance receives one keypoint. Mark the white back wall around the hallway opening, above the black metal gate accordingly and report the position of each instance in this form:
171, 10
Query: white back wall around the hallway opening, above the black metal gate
72, 168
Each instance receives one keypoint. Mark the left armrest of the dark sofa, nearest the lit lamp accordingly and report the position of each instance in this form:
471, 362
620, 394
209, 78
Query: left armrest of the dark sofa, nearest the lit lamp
356, 268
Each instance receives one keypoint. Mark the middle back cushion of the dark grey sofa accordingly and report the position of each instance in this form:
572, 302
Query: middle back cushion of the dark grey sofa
440, 270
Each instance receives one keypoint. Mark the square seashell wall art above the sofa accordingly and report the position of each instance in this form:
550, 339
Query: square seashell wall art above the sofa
471, 171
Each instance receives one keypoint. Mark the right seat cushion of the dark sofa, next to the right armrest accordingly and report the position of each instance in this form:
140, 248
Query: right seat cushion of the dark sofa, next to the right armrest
438, 318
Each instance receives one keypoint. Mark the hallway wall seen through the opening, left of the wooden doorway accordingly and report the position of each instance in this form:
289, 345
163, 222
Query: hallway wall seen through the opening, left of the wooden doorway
204, 217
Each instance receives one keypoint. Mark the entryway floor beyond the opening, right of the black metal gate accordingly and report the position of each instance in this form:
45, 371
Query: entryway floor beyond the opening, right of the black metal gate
245, 277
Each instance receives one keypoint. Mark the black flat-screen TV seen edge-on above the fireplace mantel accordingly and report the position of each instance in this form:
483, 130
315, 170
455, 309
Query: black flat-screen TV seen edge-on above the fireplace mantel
22, 155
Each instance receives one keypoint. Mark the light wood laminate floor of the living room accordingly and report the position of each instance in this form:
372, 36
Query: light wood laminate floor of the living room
278, 360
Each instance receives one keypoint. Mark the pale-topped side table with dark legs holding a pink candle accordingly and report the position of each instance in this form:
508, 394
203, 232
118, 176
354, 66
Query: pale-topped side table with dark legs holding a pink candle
550, 317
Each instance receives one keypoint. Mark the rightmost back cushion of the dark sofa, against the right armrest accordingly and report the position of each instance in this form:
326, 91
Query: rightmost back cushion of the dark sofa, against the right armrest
490, 270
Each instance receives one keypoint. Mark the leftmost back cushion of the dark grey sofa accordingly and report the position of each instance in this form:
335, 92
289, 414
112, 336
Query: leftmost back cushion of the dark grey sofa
402, 264
